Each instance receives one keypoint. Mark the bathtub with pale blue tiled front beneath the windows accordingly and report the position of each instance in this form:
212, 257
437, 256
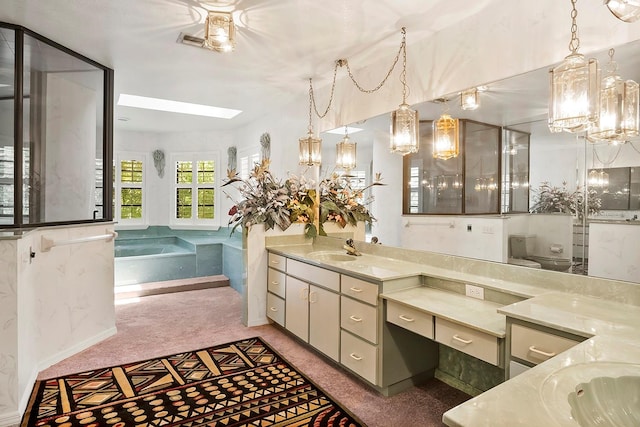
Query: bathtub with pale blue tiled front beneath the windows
153, 259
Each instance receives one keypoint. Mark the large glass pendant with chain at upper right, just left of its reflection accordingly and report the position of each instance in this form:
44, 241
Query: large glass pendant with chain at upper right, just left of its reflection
574, 88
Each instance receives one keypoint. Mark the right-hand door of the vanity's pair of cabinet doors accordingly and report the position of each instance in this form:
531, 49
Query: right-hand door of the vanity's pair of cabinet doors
324, 321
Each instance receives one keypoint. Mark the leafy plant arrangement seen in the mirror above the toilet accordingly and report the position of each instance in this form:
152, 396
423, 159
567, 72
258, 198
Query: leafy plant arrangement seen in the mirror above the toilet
559, 199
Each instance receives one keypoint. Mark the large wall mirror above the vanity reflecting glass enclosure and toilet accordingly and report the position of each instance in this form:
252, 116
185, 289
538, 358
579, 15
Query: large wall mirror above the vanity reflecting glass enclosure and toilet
523, 195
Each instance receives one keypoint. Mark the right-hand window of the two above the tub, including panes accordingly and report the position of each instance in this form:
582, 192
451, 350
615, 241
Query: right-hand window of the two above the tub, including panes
195, 189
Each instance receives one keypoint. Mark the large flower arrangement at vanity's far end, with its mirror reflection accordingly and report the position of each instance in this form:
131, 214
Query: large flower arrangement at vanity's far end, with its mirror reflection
273, 202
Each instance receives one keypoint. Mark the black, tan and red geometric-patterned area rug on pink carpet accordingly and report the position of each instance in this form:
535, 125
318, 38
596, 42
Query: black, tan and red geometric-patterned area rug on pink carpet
245, 383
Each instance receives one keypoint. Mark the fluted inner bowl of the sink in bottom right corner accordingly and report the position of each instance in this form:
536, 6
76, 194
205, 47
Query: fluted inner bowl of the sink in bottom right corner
607, 401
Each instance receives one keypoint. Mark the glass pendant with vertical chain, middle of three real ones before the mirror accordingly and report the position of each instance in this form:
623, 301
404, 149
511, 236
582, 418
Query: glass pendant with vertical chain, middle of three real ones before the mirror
404, 120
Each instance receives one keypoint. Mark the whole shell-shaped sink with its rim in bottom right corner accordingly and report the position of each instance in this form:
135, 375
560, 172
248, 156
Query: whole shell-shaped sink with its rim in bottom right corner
602, 394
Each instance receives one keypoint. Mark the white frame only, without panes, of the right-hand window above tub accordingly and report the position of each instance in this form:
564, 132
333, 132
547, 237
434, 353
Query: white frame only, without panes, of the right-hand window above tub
194, 222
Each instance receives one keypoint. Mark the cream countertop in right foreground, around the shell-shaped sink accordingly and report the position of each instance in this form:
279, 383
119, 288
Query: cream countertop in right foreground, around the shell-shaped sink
539, 396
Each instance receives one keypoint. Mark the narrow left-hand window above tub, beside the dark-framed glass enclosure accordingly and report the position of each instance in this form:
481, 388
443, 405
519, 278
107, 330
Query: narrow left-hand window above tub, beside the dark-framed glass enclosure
130, 183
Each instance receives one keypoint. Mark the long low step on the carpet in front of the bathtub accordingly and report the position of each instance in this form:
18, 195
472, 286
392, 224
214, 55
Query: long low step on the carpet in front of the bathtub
169, 286
